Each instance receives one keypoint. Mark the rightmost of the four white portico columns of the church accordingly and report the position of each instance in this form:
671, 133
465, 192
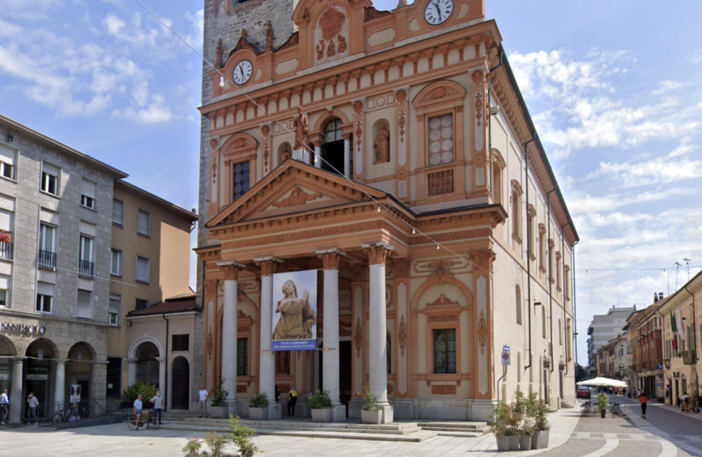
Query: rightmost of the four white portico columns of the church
377, 323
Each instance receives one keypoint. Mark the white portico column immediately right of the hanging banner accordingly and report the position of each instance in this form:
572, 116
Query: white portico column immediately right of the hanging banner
331, 258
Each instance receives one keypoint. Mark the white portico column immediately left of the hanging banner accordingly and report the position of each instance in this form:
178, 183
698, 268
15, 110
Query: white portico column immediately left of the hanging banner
266, 357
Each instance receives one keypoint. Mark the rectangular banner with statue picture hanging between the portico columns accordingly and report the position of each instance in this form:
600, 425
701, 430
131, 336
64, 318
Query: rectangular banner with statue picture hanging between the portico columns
295, 311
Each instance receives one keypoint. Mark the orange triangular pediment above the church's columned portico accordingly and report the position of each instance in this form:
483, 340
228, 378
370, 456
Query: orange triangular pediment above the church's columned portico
294, 187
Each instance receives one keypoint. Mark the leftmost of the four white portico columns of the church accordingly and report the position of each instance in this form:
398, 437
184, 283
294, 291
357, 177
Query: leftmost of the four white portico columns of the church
229, 337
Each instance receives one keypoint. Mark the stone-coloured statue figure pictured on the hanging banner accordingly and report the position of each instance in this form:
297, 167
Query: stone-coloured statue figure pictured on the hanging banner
296, 315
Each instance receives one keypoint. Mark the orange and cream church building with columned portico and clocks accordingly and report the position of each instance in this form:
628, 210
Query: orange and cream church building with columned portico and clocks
391, 152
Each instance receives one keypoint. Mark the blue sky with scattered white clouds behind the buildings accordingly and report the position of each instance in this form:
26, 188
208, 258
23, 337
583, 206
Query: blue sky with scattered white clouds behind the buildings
614, 88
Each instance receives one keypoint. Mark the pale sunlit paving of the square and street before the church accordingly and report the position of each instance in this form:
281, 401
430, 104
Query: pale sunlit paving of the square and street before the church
666, 433
